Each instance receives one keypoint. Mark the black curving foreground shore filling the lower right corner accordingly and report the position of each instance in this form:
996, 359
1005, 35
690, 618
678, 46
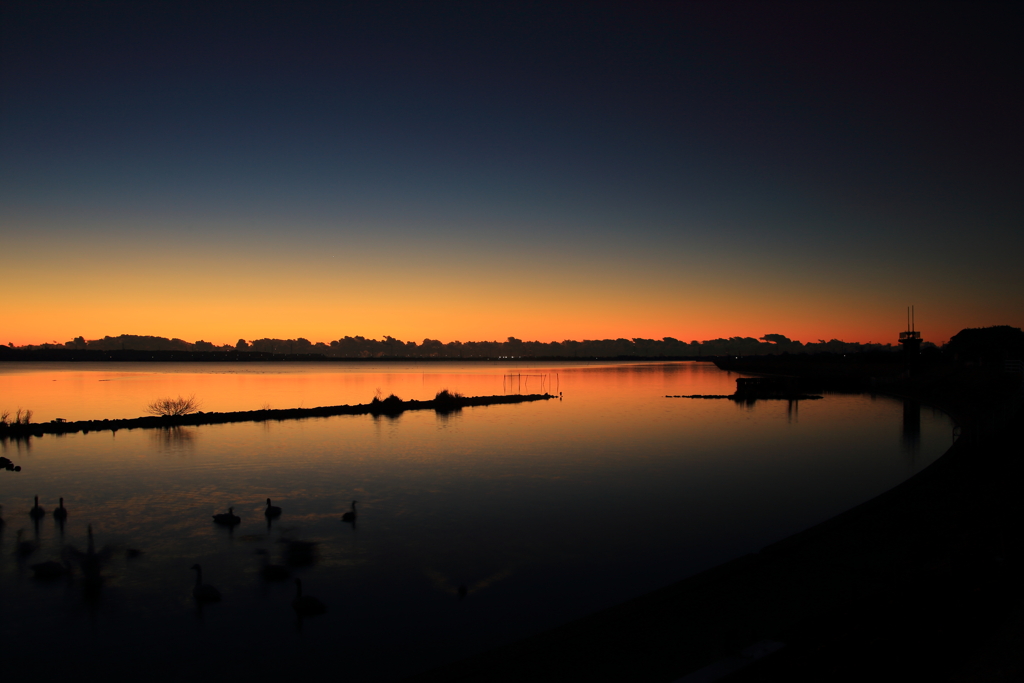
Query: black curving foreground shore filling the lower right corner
920, 583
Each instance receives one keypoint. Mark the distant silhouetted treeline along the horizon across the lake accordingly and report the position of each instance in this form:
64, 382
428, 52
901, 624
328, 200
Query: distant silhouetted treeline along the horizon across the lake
390, 348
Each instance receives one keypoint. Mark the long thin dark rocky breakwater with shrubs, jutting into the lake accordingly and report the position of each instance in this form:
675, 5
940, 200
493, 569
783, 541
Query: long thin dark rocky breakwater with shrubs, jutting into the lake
389, 407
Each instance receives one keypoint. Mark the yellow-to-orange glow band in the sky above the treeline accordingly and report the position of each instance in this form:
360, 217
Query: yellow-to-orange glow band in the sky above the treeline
220, 294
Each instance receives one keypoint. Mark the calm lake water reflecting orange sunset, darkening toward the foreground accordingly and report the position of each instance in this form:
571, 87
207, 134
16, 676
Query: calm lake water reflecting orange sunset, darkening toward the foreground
544, 511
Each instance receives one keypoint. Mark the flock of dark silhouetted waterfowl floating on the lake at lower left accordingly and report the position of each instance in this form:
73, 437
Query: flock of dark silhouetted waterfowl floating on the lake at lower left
298, 553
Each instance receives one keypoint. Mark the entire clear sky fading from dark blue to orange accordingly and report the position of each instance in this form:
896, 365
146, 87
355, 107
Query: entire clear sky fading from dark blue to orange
544, 170
